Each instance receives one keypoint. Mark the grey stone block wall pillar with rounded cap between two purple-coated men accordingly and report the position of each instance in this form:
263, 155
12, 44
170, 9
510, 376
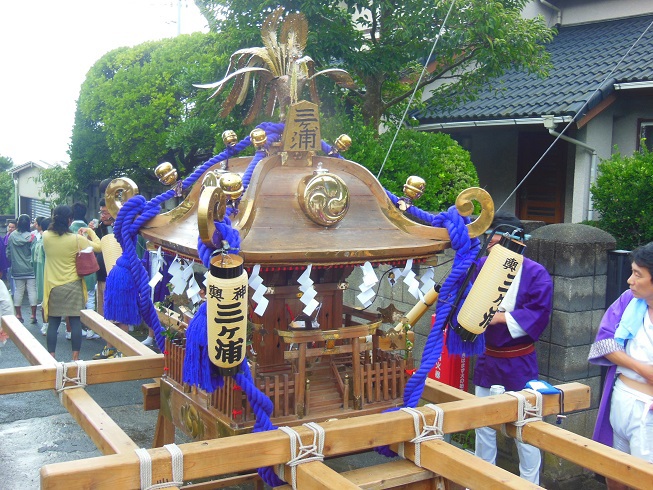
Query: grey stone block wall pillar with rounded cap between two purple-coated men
576, 257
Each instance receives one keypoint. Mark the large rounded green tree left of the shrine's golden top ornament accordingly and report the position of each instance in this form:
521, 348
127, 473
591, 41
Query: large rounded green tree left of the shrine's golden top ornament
138, 107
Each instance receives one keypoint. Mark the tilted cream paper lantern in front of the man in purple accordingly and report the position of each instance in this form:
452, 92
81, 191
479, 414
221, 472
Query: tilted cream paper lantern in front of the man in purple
490, 287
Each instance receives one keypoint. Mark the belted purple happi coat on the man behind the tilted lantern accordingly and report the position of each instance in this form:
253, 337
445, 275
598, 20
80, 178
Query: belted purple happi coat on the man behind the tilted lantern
532, 311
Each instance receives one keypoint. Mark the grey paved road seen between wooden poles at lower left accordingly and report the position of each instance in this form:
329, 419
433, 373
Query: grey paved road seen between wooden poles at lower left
36, 430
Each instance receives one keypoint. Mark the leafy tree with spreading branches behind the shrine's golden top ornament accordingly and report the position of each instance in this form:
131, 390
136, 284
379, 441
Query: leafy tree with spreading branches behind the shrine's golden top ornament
381, 43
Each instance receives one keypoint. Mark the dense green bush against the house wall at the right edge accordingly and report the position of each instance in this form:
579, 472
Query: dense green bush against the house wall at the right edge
624, 197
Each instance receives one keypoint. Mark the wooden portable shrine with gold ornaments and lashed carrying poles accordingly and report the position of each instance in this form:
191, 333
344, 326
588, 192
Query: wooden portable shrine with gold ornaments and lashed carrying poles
304, 216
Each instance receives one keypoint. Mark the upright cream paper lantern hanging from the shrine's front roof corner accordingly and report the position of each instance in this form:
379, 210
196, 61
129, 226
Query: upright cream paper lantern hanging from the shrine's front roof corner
226, 296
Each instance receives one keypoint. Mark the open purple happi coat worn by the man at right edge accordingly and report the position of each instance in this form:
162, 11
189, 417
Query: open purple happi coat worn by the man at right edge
605, 343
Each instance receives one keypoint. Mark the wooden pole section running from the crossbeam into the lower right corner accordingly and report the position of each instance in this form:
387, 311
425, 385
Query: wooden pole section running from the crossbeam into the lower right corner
629, 470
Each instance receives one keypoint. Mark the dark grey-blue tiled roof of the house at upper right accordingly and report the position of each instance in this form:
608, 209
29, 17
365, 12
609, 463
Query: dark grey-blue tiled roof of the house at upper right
582, 57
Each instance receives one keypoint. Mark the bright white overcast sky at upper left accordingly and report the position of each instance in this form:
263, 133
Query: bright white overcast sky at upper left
46, 49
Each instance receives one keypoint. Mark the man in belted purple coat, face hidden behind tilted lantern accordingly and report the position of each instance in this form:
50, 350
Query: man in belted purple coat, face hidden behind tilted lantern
510, 359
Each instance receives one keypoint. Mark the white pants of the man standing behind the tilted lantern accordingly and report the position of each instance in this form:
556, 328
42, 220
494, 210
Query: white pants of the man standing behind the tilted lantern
530, 457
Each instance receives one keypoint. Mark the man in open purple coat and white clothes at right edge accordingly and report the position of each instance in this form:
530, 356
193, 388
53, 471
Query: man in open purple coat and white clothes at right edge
624, 343
